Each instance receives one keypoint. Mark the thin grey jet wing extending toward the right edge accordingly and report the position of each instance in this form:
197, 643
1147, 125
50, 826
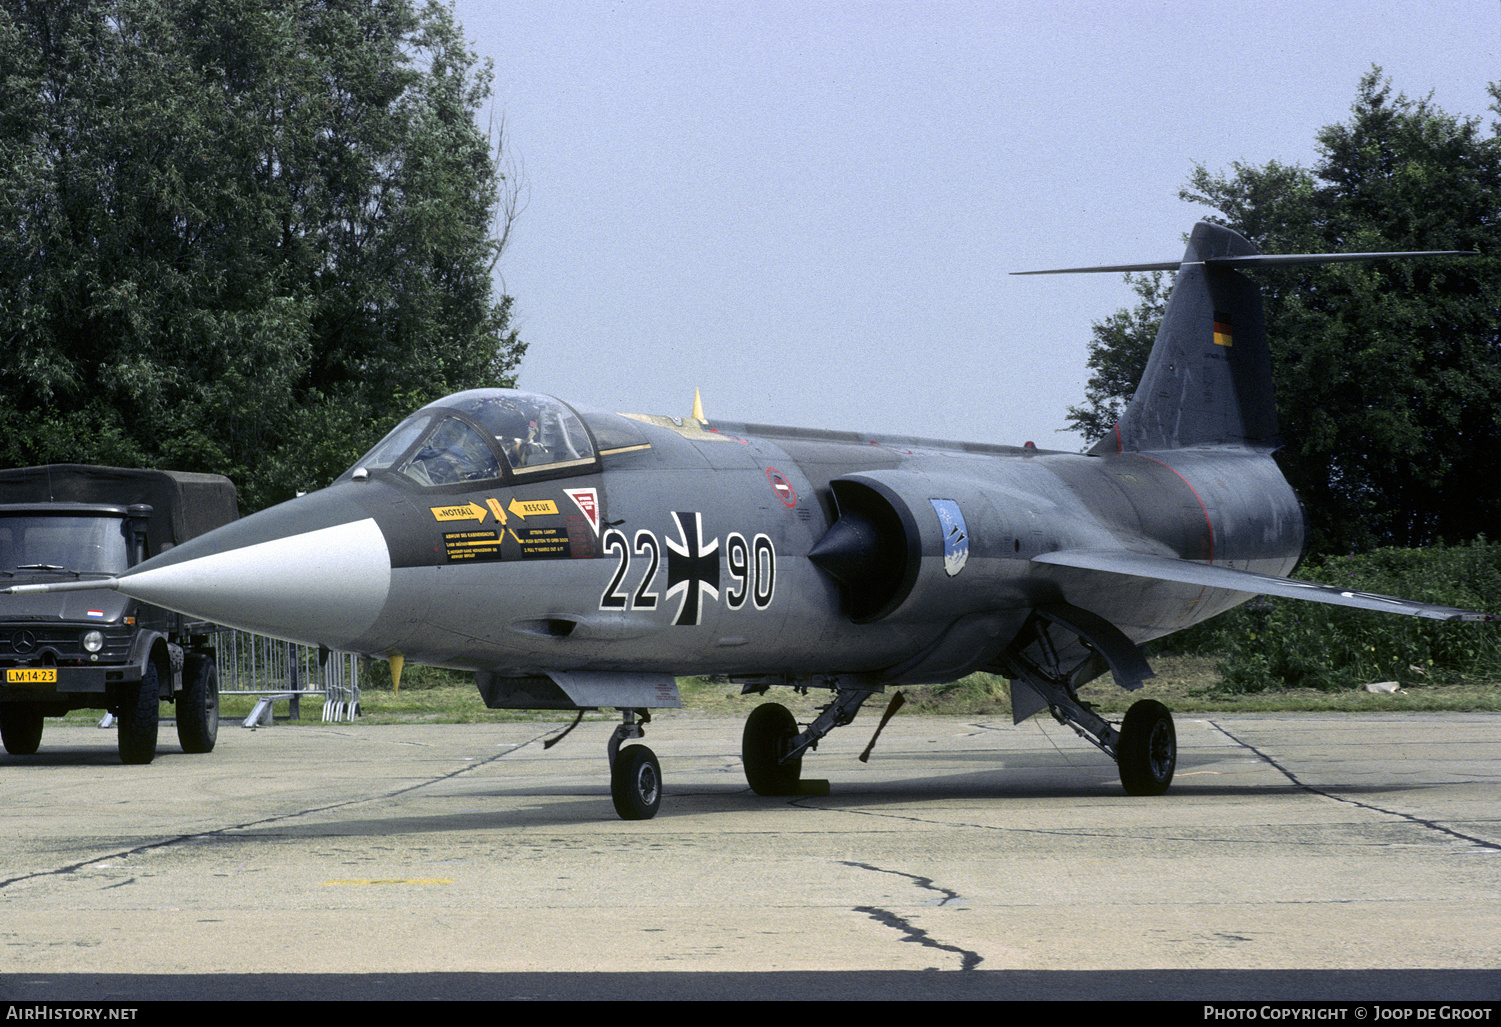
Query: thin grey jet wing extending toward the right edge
1145, 565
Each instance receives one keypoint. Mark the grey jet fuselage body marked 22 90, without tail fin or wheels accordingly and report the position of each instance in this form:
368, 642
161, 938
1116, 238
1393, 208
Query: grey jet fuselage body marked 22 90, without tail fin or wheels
694, 558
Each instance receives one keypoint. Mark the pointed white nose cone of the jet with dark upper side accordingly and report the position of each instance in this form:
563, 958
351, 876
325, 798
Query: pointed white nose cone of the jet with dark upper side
313, 571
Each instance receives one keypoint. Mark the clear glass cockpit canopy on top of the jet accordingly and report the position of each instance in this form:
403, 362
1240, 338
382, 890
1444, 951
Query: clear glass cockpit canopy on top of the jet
484, 435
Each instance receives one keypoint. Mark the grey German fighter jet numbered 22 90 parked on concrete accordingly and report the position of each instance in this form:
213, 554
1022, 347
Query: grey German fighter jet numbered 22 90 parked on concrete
576, 559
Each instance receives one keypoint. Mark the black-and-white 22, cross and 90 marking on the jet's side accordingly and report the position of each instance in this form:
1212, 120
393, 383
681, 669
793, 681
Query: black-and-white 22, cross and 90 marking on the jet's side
693, 570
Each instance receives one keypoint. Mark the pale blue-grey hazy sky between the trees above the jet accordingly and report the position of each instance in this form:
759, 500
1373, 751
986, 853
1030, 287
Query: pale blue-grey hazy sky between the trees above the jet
808, 211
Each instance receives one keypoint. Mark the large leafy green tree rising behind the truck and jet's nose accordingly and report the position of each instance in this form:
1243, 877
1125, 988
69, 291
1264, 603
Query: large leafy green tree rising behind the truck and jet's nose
242, 236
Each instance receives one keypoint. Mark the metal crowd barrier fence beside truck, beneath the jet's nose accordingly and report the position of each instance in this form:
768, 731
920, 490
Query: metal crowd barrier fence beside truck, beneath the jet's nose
286, 672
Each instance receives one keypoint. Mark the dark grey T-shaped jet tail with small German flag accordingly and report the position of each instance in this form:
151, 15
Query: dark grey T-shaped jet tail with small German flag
1209, 378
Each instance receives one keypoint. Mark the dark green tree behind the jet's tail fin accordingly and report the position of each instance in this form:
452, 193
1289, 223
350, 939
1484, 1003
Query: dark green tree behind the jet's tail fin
1388, 375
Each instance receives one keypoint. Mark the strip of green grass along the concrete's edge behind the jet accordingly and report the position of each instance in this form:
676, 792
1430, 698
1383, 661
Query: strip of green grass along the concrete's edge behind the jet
1184, 684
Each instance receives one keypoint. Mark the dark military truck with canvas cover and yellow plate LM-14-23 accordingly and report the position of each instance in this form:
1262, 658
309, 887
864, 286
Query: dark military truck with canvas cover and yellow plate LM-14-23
98, 649
